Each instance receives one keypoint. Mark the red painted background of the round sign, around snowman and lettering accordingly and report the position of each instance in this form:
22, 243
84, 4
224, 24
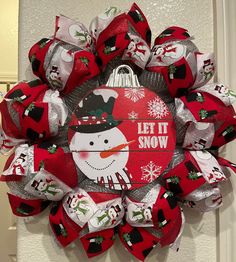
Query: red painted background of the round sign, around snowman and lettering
140, 157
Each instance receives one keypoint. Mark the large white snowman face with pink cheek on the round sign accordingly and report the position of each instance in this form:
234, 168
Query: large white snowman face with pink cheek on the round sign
86, 151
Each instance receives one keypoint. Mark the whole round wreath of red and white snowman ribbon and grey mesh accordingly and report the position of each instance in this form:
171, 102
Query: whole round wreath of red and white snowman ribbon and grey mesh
116, 160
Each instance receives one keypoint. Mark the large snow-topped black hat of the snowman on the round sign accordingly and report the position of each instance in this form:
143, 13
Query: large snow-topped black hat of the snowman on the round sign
94, 112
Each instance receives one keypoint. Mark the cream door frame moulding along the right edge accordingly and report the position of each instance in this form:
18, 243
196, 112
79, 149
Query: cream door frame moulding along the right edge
225, 42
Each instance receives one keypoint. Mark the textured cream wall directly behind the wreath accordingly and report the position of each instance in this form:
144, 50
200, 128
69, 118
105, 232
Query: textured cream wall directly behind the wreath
35, 242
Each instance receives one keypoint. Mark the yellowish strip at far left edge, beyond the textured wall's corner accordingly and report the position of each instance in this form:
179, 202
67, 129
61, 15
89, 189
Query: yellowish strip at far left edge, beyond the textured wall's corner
8, 72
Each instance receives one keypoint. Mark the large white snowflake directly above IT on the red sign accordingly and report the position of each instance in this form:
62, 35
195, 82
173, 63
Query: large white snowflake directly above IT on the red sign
157, 108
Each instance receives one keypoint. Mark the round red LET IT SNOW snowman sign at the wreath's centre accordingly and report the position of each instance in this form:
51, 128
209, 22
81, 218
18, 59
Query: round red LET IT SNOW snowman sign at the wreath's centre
122, 138
